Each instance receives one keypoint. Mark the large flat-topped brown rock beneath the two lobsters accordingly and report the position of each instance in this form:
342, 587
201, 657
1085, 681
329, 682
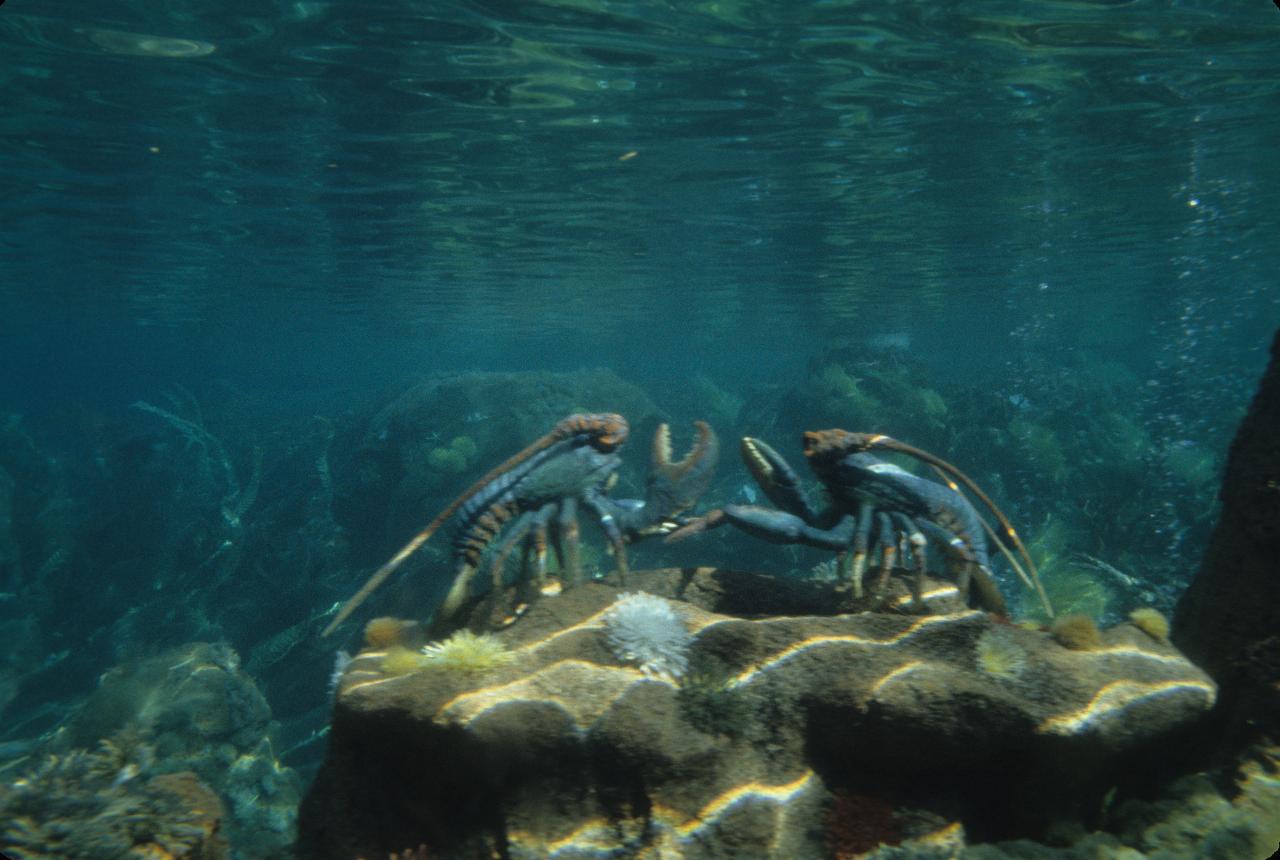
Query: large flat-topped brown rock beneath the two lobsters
764, 726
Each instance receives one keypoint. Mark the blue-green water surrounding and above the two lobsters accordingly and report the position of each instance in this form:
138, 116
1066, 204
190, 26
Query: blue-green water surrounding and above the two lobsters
1037, 239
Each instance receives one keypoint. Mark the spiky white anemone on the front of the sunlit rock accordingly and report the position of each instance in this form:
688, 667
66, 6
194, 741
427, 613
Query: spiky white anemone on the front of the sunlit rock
646, 630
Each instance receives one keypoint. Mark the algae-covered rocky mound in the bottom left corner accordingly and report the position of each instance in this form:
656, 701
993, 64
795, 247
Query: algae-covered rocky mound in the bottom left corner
171, 757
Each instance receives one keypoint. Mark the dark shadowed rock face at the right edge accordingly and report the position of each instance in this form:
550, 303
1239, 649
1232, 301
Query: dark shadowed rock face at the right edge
1229, 619
